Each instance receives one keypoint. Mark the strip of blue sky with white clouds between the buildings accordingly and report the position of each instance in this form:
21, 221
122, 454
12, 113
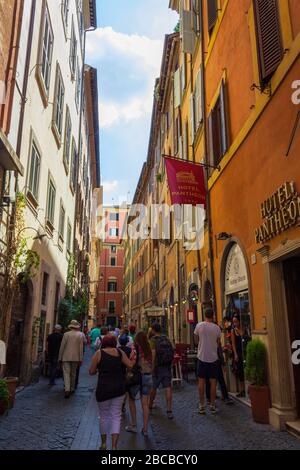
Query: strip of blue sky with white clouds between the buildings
126, 49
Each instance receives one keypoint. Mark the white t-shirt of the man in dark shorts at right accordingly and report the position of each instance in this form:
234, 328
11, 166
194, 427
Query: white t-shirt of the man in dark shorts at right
208, 334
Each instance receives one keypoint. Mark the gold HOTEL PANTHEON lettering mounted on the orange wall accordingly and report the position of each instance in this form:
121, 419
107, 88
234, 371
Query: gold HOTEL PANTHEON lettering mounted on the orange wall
279, 212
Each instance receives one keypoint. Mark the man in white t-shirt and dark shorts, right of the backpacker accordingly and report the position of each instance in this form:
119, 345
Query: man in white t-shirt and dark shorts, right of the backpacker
207, 336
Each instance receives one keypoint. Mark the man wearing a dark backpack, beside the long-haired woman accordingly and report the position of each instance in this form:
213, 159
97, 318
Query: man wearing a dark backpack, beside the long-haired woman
163, 355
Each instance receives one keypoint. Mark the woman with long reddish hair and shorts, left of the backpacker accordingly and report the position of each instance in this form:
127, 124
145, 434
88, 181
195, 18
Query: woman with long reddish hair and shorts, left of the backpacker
142, 357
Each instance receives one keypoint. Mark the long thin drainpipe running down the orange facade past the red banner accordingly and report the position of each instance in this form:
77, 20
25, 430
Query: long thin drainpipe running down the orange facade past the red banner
207, 168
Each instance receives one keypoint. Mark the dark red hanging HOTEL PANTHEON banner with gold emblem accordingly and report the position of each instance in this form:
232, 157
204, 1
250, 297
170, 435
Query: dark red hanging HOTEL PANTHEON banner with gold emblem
186, 182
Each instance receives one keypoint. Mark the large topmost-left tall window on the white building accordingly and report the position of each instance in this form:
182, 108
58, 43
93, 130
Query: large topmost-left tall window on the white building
46, 51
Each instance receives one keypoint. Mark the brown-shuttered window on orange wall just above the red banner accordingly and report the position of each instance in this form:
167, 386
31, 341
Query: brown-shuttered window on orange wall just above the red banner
218, 129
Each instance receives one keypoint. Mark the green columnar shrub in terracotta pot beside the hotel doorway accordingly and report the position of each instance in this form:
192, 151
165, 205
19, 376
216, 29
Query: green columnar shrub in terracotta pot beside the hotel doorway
256, 374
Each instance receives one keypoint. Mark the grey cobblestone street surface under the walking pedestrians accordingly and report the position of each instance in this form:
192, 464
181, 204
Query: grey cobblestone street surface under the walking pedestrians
42, 419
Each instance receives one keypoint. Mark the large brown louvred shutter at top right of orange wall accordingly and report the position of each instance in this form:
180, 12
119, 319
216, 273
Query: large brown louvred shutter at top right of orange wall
269, 40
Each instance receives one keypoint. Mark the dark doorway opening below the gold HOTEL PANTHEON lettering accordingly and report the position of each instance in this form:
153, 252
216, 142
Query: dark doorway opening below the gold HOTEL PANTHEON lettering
291, 269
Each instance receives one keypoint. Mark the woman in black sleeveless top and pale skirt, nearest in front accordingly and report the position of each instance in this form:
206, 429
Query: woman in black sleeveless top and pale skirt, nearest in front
111, 389
